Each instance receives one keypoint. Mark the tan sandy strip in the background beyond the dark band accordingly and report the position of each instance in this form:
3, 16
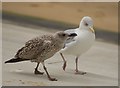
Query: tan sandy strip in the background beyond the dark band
105, 15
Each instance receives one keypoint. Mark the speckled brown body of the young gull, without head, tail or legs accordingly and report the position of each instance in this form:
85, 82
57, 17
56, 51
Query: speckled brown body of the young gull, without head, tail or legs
40, 48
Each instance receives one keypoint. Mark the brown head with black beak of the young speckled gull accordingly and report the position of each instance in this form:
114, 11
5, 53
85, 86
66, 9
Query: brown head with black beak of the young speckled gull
63, 36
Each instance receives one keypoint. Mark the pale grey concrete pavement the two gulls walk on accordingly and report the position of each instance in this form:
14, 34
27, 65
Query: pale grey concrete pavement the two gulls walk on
100, 62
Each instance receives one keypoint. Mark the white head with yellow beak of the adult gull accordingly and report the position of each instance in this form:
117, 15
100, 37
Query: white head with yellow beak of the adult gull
87, 24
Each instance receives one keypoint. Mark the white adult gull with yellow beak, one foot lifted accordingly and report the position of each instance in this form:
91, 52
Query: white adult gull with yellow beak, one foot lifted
81, 43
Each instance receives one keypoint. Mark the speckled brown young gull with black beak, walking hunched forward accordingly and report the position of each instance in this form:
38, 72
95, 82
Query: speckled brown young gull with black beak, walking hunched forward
41, 48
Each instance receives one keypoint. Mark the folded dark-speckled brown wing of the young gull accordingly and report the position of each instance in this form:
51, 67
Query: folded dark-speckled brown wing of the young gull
31, 49
